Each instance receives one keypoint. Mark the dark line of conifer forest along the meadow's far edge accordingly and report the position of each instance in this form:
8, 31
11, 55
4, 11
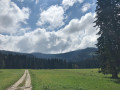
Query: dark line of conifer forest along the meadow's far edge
18, 61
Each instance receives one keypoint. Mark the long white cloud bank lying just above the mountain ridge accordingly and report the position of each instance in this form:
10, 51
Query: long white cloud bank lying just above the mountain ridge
78, 34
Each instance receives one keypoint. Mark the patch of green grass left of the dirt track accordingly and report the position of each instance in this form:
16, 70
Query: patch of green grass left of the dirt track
9, 77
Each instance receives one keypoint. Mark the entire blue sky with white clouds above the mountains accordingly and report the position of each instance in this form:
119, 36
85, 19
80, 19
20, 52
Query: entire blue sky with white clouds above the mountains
47, 26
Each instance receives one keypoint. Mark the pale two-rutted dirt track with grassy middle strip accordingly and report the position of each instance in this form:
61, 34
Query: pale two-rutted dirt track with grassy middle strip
24, 83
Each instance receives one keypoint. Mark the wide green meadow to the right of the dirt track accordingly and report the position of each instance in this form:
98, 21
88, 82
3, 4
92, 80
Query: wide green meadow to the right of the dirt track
72, 79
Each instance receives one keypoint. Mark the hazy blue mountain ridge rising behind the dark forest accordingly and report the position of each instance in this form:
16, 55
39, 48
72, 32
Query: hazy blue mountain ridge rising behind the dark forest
73, 56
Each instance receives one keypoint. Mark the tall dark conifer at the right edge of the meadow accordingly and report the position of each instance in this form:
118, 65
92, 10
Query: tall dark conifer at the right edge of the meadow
108, 21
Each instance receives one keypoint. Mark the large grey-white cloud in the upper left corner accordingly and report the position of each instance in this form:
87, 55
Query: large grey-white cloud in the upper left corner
11, 16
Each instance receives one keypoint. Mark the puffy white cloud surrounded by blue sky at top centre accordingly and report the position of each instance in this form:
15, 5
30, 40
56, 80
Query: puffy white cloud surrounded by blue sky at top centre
53, 16
